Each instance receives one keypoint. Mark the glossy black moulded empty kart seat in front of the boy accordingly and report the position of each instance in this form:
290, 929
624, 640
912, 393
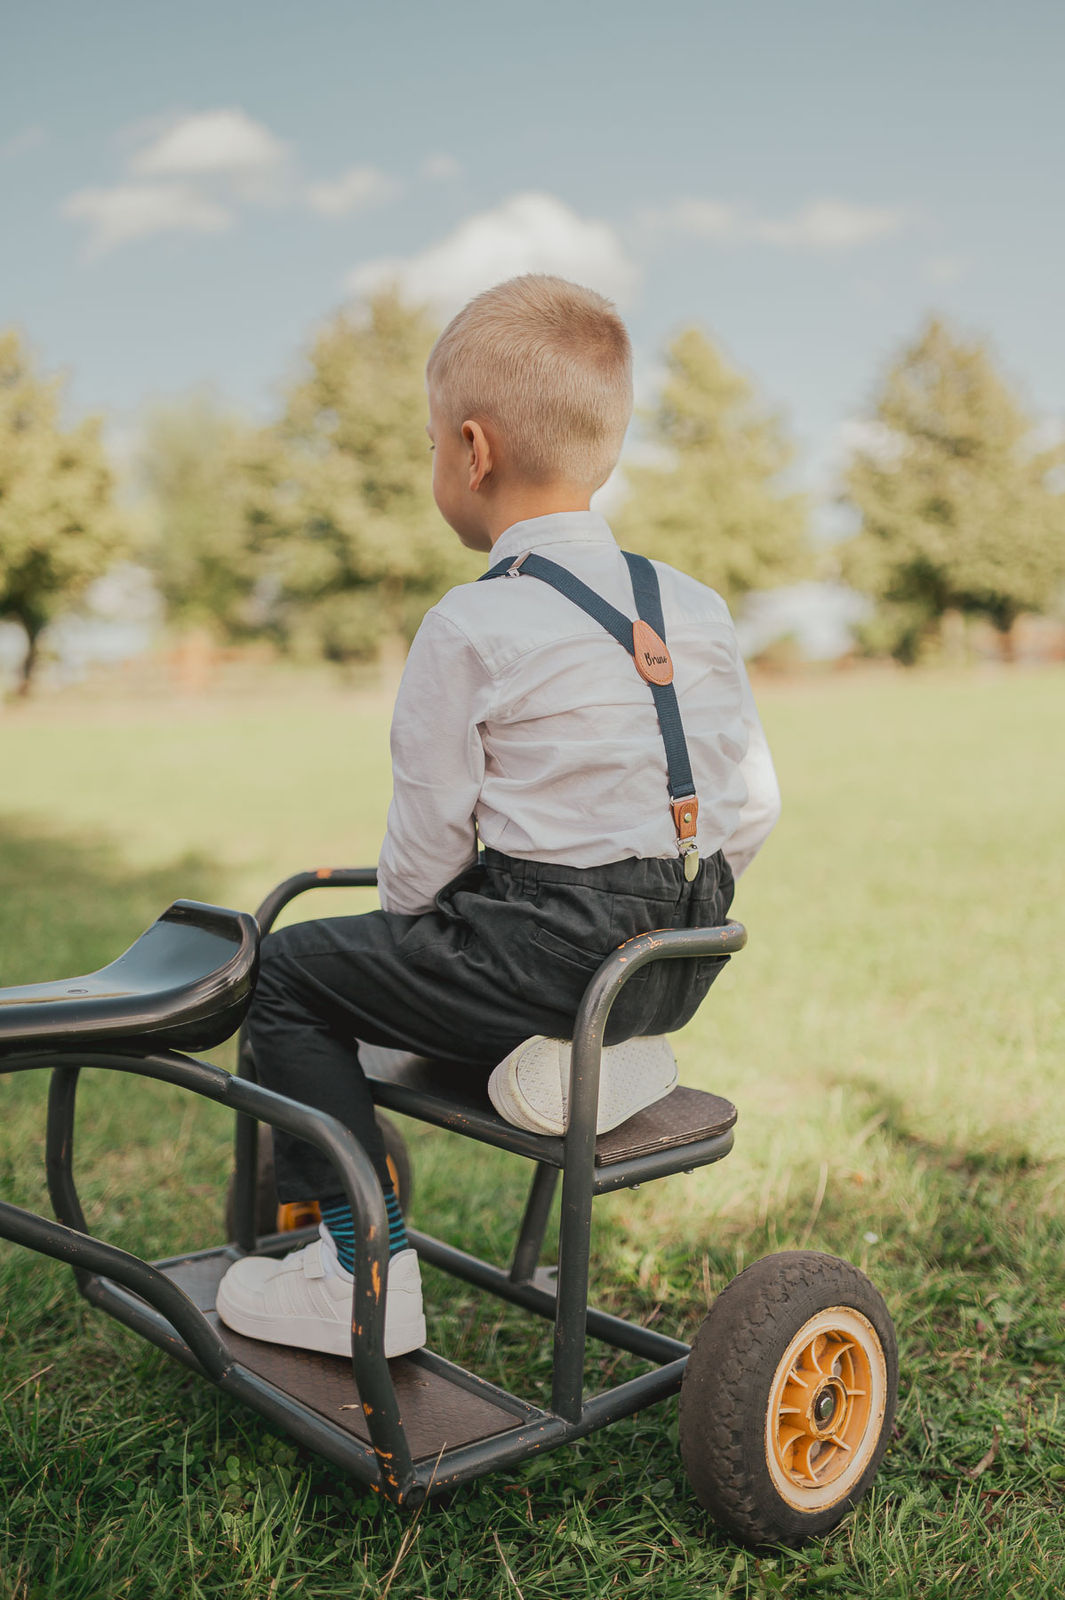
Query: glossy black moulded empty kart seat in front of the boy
185, 983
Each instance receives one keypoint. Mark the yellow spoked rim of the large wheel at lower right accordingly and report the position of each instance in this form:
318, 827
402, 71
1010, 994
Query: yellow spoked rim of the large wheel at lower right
826, 1409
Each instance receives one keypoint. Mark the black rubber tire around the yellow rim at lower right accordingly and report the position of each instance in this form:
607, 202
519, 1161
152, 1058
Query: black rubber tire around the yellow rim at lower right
728, 1380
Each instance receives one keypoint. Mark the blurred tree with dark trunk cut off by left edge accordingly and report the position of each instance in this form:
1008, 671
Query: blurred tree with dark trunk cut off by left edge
58, 527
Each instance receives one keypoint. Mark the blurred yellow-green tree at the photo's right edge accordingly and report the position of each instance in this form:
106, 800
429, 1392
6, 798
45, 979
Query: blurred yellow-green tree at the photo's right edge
957, 500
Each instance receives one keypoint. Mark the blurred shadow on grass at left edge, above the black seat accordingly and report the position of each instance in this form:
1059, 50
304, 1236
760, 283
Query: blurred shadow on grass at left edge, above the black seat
71, 903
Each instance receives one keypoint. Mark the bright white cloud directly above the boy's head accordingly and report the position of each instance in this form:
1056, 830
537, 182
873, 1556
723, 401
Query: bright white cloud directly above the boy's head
530, 233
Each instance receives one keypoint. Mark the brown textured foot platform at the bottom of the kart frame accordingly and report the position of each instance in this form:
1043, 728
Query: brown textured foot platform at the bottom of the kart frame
442, 1406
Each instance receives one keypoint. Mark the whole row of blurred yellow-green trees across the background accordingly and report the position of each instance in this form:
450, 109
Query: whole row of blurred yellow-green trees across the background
319, 534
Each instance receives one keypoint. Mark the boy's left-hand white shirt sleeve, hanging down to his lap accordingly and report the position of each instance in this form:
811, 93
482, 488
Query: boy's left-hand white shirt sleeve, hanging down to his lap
437, 767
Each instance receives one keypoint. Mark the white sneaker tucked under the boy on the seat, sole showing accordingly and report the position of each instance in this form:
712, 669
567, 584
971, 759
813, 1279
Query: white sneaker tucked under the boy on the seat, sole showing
532, 1087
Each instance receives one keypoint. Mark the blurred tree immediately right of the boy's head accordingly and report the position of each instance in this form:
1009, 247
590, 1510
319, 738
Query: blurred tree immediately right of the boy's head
712, 505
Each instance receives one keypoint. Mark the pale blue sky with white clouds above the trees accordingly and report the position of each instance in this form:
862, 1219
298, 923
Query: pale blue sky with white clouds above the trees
188, 191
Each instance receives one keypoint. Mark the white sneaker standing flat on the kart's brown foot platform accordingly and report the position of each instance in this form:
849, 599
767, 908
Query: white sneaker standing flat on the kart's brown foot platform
306, 1300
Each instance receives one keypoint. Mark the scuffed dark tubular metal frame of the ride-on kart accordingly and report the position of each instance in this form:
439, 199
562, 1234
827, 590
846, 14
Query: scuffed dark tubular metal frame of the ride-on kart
146, 1300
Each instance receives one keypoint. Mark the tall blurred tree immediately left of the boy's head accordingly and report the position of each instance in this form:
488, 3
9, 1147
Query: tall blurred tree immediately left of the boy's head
340, 502
